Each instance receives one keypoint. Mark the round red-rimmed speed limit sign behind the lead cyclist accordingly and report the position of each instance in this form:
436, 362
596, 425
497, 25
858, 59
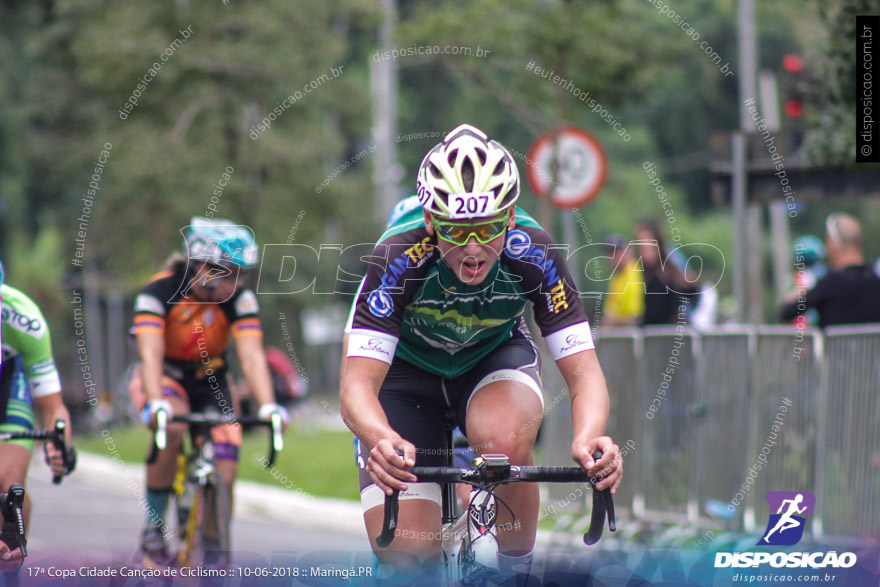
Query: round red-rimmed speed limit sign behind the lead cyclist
574, 159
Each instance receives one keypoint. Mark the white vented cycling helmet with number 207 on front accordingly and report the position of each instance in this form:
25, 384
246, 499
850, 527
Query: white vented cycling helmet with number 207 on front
467, 176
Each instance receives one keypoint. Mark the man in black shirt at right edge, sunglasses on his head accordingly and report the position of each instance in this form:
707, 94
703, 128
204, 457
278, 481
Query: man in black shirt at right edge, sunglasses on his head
850, 292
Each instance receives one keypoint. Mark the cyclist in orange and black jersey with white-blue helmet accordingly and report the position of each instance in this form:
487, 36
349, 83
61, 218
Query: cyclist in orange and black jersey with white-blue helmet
183, 319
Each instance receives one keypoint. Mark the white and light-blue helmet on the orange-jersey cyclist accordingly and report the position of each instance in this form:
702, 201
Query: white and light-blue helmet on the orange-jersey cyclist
220, 242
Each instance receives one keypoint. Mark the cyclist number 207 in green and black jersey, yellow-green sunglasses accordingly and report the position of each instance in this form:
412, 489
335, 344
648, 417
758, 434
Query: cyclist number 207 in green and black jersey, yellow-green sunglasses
438, 329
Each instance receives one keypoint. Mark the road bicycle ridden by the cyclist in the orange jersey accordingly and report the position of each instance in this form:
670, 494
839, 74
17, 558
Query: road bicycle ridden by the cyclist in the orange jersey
201, 496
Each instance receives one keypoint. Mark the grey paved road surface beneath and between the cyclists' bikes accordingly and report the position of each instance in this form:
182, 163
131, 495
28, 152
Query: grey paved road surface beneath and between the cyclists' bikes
93, 520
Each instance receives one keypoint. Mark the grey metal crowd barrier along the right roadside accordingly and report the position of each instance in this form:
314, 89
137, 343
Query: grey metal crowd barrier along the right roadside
718, 417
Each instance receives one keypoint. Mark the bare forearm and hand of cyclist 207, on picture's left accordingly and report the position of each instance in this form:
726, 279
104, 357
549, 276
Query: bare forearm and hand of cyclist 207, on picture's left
363, 414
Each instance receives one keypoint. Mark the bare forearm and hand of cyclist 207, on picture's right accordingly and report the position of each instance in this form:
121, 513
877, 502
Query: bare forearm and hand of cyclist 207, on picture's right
589, 416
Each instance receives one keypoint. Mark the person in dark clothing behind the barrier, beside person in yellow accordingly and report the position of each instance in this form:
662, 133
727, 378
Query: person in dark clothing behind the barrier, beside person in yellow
669, 295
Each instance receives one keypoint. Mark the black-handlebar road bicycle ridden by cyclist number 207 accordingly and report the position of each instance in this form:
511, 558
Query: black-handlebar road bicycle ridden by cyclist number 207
469, 540
